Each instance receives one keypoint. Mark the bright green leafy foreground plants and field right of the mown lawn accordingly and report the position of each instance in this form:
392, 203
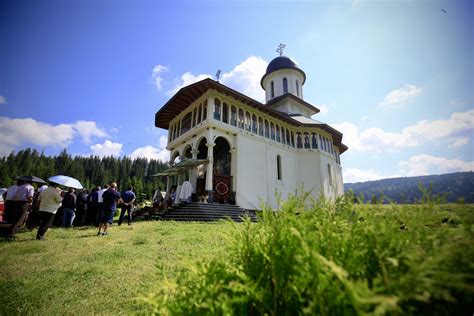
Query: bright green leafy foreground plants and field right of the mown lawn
333, 258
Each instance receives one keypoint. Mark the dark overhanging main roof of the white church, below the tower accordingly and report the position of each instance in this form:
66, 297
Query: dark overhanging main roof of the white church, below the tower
187, 95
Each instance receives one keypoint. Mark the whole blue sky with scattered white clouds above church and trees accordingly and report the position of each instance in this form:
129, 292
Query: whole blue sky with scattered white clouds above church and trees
395, 77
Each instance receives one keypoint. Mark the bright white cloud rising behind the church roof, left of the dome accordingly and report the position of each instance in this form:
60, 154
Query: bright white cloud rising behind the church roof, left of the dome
244, 78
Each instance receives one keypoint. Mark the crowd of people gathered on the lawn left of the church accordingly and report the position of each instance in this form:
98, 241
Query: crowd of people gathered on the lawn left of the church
49, 206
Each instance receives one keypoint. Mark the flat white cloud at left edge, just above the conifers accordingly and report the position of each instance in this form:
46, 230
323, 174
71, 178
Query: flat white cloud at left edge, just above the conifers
31, 132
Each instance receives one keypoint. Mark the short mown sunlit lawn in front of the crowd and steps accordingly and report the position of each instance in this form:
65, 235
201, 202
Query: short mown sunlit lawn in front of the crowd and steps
75, 271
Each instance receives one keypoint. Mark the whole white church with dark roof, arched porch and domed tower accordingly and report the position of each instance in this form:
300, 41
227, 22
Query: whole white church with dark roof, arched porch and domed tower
234, 149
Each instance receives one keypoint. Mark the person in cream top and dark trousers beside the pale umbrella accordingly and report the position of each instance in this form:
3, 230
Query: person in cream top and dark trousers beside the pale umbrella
49, 201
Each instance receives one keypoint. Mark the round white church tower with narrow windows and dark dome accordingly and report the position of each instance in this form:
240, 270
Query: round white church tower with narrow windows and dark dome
283, 76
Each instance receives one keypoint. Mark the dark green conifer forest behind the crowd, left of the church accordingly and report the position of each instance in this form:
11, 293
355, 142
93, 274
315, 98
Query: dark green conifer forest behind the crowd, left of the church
90, 171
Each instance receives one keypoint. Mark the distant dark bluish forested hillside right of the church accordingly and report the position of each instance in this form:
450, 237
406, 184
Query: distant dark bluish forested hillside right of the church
405, 190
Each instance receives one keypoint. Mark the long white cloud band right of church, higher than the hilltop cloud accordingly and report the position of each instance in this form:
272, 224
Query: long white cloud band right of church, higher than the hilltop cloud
456, 129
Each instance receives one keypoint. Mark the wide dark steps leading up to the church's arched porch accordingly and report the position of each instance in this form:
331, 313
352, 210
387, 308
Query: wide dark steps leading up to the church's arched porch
202, 212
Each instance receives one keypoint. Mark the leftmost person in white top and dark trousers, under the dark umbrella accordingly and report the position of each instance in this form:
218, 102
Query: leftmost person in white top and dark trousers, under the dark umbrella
18, 201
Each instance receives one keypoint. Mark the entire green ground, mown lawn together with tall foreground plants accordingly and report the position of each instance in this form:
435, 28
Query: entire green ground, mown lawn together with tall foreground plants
334, 259
